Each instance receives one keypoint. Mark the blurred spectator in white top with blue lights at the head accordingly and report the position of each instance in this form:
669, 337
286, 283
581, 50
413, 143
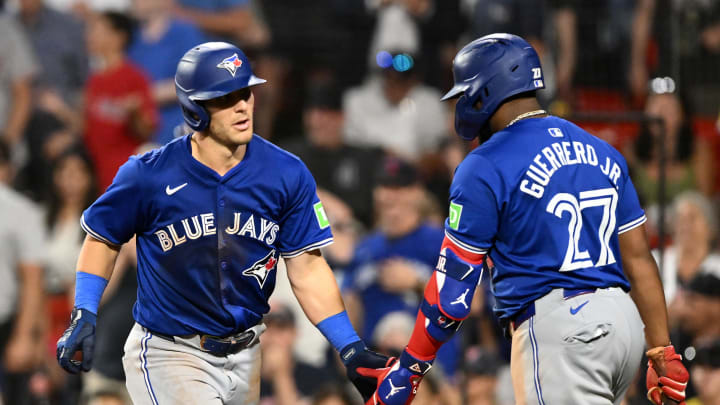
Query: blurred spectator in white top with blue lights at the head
394, 111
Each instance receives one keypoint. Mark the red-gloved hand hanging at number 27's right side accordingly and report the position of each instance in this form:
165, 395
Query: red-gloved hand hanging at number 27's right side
666, 375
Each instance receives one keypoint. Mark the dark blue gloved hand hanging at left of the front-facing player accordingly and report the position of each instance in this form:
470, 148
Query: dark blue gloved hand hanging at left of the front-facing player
79, 336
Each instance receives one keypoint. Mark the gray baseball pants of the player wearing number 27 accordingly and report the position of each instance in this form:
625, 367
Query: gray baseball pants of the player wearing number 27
583, 350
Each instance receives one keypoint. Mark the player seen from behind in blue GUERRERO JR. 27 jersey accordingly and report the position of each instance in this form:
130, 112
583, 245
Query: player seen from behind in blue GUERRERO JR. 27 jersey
554, 212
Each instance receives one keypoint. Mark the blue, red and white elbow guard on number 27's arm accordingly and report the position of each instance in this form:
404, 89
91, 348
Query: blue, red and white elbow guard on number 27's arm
449, 293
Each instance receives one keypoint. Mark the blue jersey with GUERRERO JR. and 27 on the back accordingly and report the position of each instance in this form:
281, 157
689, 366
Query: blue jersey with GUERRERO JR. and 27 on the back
545, 200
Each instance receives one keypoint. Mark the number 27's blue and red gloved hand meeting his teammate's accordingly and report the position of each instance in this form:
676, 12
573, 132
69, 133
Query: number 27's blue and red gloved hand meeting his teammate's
397, 384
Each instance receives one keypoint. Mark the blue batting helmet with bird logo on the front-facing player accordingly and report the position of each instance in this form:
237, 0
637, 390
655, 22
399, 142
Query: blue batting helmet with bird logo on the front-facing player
208, 71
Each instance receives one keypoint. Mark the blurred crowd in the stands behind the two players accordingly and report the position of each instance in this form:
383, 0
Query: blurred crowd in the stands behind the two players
354, 90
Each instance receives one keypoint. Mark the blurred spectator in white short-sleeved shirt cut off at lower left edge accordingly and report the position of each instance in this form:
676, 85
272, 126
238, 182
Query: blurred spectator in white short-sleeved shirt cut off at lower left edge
22, 346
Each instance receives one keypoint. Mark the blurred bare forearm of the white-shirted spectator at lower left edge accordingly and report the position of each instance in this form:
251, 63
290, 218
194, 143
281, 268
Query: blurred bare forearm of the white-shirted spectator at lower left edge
31, 300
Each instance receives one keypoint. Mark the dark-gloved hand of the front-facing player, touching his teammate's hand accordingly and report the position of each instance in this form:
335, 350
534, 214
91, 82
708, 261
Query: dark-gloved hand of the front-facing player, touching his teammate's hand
357, 358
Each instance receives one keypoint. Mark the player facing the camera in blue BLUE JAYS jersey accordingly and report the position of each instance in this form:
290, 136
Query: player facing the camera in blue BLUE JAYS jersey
213, 212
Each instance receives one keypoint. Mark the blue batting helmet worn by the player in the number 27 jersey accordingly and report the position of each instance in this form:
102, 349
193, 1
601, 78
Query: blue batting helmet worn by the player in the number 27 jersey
491, 69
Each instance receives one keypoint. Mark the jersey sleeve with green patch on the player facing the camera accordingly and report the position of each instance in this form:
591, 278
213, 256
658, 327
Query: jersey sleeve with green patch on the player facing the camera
305, 226
